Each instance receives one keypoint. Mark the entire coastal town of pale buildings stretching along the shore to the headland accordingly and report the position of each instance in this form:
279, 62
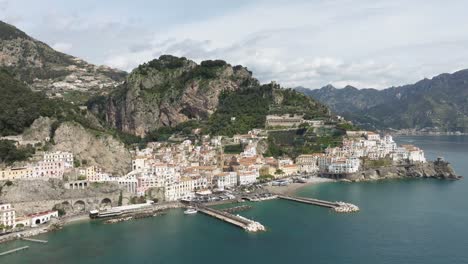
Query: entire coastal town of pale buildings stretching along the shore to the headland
192, 171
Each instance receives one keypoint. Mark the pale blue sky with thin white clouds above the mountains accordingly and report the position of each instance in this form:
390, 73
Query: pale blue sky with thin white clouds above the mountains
363, 43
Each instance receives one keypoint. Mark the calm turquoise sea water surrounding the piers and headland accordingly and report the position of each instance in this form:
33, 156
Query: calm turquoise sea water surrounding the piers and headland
401, 221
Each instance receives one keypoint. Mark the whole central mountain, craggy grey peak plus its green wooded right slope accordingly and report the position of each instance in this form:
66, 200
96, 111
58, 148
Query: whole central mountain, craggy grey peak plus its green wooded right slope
171, 91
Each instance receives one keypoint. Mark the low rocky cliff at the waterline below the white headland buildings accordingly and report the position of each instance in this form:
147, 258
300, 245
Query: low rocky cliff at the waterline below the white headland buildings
436, 169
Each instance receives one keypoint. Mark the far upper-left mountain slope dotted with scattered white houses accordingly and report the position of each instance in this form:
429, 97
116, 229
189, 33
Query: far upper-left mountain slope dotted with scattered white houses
53, 72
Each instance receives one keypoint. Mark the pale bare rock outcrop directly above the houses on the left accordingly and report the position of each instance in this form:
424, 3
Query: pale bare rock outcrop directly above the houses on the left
97, 148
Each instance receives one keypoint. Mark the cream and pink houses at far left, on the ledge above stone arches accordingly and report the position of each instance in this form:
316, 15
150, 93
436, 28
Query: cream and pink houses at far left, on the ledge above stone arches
52, 165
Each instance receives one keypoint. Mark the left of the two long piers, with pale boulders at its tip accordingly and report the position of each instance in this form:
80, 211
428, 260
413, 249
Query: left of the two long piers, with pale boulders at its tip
242, 222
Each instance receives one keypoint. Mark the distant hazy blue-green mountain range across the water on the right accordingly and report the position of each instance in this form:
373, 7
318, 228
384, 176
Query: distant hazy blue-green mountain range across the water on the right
440, 103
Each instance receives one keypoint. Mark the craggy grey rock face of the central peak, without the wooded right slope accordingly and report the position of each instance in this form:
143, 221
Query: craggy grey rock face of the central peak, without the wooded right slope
170, 90
